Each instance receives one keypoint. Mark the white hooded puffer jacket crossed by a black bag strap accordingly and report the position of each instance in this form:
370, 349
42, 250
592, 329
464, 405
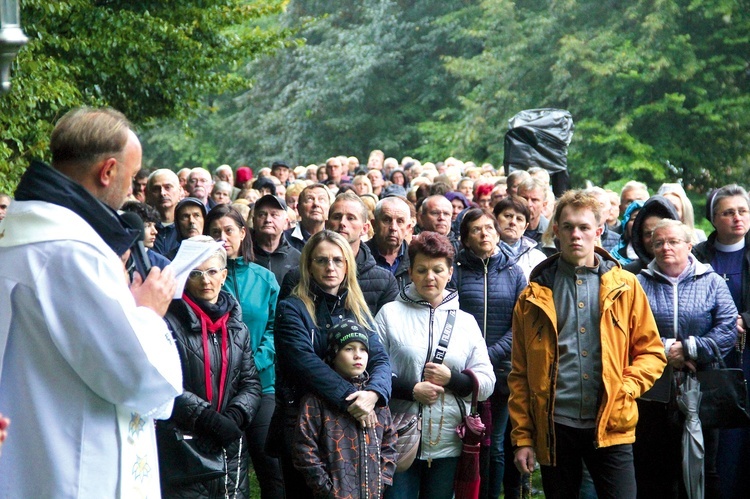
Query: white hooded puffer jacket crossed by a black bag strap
410, 330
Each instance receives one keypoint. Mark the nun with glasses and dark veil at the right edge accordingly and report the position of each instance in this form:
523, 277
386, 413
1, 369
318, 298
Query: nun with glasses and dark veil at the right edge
728, 251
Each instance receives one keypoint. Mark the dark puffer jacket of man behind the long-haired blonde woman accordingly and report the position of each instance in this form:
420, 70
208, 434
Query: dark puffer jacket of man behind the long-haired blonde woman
378, 285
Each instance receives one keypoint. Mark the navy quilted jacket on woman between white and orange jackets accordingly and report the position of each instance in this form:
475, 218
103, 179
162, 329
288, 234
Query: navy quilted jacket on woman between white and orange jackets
488, 290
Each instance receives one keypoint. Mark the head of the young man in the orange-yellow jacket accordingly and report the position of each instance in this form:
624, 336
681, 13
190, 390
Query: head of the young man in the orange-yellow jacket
577, 231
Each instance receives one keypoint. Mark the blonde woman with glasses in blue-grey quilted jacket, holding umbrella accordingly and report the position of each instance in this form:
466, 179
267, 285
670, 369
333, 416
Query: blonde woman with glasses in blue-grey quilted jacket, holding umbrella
696, 317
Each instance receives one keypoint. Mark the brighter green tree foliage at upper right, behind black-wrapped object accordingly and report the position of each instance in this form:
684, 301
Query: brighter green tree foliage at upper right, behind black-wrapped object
646, 82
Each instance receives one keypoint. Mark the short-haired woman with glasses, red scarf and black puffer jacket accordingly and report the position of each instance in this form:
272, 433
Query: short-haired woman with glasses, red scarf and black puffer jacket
221, 385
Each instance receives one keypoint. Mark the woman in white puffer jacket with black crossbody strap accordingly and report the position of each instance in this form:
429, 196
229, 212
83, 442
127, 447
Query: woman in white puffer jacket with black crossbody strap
410, 329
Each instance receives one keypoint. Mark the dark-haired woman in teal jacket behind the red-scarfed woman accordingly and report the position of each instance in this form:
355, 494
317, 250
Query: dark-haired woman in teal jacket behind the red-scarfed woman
256, 289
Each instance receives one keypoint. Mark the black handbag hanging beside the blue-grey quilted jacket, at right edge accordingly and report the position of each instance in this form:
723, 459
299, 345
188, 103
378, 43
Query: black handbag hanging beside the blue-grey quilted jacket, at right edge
724, 400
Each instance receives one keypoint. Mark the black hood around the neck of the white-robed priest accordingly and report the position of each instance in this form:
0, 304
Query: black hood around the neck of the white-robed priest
41, 182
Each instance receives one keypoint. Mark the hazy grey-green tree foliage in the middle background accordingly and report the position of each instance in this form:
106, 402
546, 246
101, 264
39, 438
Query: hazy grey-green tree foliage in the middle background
362, 76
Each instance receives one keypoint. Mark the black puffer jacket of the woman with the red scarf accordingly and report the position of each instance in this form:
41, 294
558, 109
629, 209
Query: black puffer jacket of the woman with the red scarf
242, 390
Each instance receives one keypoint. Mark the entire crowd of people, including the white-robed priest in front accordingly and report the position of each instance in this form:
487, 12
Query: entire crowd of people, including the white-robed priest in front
342, 294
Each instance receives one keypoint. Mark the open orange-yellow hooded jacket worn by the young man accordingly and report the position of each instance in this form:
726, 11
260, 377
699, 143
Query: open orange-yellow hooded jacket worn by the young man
632, 358
